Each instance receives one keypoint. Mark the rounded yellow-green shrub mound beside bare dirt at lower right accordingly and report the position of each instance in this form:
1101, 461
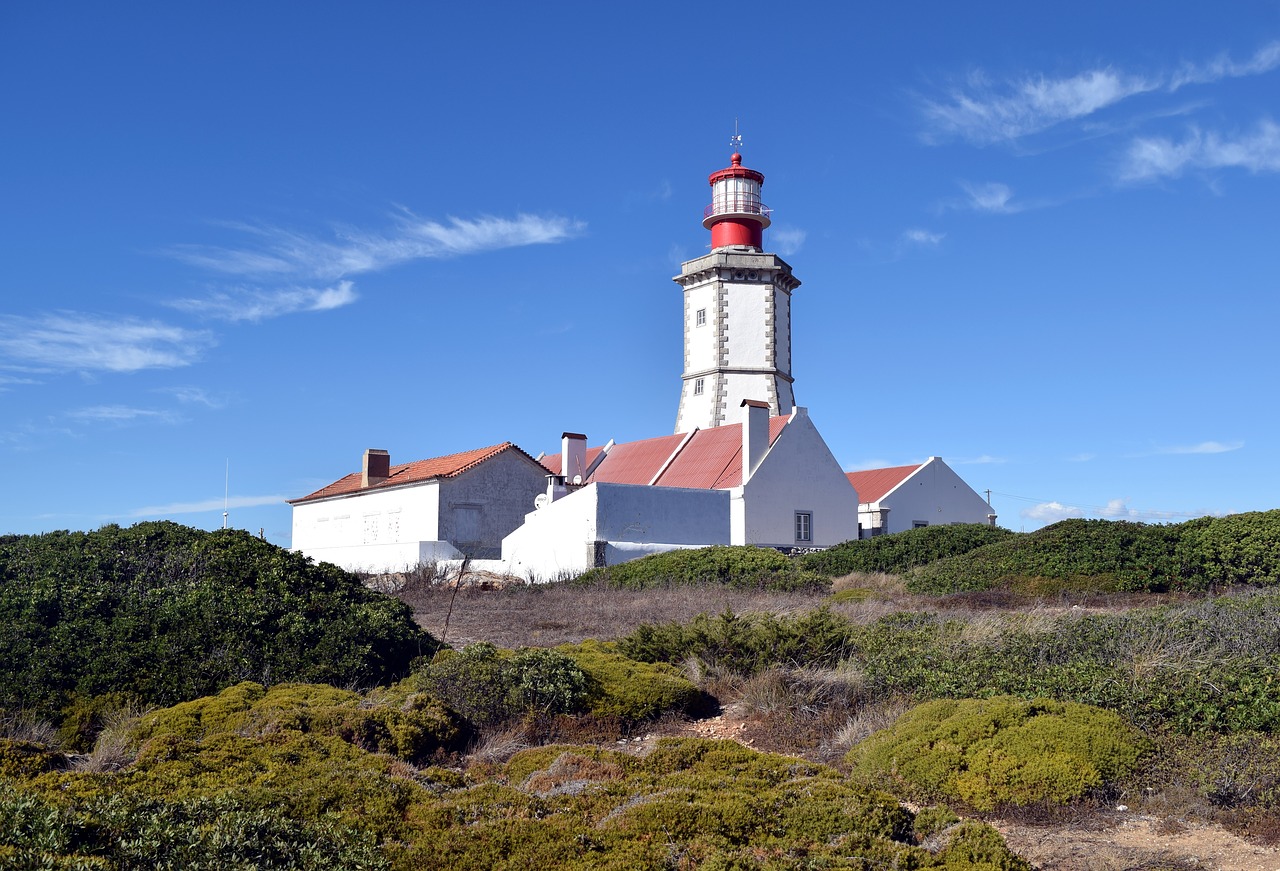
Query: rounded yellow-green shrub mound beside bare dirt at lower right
1000, 751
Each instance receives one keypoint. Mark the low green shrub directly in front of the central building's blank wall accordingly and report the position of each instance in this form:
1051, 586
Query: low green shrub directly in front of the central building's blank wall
742, 568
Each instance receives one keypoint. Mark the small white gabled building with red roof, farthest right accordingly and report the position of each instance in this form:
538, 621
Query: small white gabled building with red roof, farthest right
909, 498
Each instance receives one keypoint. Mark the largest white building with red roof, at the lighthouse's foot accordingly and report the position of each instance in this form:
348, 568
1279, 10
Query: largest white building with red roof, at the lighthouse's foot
767, 481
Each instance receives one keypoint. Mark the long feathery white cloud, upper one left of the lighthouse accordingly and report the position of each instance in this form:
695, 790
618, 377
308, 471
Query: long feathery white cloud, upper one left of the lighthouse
281, 253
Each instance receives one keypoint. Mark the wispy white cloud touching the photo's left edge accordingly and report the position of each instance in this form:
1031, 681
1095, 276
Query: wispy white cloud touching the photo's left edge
74, 341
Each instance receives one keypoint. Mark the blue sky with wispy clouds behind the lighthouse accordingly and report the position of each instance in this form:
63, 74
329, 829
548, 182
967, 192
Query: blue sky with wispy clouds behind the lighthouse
1043, 243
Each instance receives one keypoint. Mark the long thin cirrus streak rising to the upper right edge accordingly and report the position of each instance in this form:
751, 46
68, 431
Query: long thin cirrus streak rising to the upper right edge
984, 113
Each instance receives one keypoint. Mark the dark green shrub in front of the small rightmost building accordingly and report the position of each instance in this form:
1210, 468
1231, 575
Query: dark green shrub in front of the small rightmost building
899, 553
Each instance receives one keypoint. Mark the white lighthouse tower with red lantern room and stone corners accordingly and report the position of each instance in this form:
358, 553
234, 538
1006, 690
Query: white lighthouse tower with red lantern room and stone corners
738, 311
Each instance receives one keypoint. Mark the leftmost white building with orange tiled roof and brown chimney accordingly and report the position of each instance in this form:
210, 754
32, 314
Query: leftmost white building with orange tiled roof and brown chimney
390, 518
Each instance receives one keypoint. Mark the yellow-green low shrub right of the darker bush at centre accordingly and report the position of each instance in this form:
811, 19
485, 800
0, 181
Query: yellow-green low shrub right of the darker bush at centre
630, 691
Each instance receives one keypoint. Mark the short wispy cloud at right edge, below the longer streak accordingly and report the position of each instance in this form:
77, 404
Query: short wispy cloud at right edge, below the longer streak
1151, 158
